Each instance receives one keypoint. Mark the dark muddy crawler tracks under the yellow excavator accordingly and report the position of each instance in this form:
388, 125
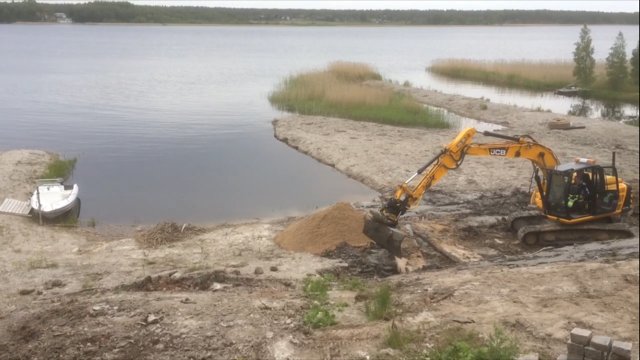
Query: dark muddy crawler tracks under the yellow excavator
535, 229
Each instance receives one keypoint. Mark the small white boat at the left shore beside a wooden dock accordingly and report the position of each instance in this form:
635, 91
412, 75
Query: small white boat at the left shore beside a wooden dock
52, 198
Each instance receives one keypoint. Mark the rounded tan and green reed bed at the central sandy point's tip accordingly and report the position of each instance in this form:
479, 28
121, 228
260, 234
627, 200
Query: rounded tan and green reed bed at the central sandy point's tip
341, 91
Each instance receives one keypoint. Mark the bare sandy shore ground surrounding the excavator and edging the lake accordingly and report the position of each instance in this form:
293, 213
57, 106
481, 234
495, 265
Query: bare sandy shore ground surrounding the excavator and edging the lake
230, 292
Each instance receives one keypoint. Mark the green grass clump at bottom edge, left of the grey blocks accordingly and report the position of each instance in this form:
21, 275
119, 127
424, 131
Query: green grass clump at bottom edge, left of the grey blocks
460, 344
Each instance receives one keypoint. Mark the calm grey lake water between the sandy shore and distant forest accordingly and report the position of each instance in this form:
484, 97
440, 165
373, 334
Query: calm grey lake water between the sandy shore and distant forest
173, 122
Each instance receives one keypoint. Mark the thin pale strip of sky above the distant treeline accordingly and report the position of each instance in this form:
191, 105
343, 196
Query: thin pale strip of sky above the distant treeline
575, 5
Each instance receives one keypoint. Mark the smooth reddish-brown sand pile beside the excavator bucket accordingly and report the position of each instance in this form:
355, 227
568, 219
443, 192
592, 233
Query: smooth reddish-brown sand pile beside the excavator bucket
325, 230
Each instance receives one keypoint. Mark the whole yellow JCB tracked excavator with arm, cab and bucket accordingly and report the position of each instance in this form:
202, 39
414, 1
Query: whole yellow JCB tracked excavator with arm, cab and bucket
576, 201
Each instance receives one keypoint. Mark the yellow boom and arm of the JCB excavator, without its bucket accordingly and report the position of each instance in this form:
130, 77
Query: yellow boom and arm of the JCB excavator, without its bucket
452, 156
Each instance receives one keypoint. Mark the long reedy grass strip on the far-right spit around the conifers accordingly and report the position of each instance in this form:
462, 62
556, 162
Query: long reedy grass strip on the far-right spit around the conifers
530, 75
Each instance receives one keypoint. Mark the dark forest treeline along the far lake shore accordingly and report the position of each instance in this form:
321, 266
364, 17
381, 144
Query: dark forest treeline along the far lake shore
124, 12
